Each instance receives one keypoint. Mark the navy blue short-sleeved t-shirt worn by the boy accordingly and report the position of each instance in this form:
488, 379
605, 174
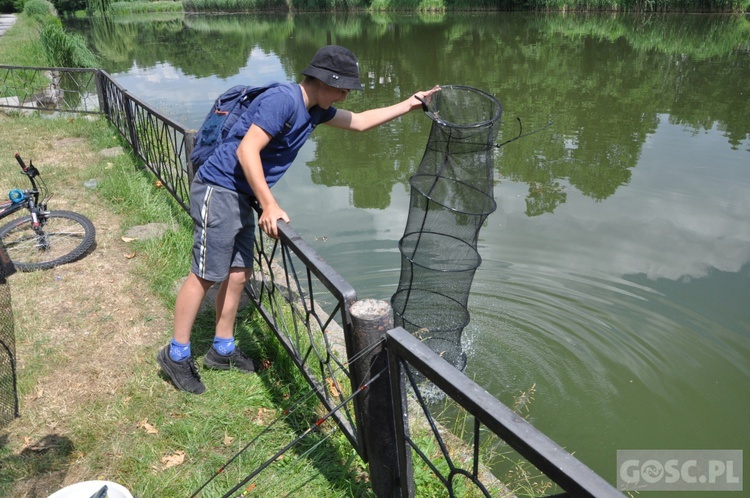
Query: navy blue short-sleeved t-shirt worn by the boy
280, 112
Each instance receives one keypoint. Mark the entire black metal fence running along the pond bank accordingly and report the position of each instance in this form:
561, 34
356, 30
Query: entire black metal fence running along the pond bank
307, 305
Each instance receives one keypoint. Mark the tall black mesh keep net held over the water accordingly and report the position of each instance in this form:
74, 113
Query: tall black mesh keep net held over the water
451, 196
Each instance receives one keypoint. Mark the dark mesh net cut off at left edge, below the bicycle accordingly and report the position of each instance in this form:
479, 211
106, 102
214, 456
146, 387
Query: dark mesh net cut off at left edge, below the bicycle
8, 388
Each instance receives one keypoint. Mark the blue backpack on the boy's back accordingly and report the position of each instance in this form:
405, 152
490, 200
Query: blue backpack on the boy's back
224, 113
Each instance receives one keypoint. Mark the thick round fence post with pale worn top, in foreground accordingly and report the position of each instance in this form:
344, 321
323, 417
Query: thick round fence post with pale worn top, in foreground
371, 319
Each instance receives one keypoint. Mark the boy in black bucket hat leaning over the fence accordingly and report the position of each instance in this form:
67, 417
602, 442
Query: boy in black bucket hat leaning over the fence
259, 149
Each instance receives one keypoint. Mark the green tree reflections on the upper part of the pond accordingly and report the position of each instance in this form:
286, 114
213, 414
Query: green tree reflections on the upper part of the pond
604, 80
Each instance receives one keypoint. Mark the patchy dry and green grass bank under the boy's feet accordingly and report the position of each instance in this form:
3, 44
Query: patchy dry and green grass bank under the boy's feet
124, 422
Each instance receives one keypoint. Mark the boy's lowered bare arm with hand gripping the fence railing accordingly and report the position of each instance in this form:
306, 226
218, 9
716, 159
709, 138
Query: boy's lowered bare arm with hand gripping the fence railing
248, 154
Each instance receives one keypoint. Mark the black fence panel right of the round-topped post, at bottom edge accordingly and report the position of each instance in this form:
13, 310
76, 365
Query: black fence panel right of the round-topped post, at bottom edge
417, 373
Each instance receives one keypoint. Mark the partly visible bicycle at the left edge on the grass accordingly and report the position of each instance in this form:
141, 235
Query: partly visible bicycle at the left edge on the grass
42, 239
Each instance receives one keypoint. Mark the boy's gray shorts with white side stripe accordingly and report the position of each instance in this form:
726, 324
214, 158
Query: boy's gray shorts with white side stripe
223, 233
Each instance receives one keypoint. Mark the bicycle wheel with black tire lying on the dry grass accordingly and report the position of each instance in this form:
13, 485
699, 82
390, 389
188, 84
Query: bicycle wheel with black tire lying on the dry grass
67, 237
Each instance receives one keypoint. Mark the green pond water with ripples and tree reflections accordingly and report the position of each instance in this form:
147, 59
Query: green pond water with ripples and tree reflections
615, 274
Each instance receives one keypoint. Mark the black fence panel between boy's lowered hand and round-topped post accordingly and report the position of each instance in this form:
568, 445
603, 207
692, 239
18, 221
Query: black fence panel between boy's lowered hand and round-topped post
306, 303
